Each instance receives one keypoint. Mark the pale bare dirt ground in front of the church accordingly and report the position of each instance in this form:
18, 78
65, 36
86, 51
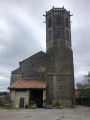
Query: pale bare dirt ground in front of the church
78, 113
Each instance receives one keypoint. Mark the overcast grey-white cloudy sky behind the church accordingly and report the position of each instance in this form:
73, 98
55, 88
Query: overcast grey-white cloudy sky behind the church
23, 33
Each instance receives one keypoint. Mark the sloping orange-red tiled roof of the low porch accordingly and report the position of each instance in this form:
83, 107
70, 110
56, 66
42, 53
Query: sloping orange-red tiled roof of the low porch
28, 84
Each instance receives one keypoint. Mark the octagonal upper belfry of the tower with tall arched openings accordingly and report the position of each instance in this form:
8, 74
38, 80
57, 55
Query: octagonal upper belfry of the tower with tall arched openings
58, 28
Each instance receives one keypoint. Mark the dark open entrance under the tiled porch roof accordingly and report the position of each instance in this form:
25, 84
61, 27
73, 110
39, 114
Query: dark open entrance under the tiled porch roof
37, 96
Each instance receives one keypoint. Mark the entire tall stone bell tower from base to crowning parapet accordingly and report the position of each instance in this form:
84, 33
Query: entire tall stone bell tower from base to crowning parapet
60, 72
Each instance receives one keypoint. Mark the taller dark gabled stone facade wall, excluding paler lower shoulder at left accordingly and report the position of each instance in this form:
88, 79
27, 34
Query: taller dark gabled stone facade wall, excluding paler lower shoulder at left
30, 66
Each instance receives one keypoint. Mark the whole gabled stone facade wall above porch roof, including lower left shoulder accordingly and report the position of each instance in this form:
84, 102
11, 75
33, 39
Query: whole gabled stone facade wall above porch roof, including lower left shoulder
29, 68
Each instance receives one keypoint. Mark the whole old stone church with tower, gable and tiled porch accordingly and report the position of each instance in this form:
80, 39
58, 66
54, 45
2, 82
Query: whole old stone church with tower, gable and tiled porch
47, 76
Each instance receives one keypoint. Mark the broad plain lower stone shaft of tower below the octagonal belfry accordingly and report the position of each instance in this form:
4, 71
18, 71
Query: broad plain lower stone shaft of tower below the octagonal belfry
60, 76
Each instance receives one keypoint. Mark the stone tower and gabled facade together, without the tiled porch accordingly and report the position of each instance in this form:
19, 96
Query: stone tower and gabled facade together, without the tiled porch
56, 65
